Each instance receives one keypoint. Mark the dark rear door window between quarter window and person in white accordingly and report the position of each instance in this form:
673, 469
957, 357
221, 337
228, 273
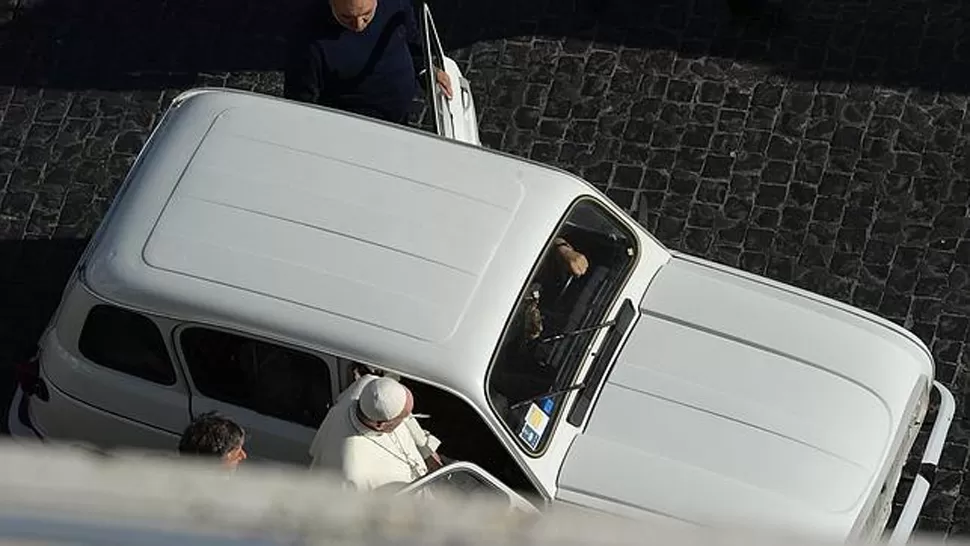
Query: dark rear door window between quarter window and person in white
263, 377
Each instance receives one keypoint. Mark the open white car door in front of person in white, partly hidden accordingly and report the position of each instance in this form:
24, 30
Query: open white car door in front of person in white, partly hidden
463, 478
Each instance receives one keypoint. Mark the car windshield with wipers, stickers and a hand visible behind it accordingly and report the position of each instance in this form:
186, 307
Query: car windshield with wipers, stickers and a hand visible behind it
561, 310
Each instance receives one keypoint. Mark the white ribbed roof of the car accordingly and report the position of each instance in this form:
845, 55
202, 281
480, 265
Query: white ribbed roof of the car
359, 238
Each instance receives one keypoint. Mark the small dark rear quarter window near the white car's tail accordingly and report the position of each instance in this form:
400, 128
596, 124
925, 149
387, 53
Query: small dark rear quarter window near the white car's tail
127, 342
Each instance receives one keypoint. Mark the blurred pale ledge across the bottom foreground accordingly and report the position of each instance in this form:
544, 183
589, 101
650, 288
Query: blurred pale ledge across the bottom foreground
59, 496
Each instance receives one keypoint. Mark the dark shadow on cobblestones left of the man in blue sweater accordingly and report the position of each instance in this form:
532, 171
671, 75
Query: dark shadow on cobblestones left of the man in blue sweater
146, 44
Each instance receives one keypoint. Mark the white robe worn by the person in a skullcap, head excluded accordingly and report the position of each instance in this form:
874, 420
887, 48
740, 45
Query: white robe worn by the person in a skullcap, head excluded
365, 458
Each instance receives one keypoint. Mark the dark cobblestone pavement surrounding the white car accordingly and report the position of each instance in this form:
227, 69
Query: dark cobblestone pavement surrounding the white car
832, 154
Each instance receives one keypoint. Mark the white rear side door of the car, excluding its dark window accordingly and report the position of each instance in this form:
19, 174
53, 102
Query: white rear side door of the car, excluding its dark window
267, 438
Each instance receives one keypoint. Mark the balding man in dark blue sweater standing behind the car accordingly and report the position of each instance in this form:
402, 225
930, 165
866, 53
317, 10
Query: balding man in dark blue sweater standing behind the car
362, 56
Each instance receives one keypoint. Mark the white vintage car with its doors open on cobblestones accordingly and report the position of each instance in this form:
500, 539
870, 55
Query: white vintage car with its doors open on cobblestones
259, 246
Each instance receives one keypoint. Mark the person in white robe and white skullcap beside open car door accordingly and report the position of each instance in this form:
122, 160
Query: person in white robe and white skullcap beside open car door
371, 439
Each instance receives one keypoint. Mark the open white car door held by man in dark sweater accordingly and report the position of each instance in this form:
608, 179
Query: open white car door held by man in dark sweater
454, 118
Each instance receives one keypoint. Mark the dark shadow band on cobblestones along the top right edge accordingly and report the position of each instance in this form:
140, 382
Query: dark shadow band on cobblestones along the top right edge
913, 43
